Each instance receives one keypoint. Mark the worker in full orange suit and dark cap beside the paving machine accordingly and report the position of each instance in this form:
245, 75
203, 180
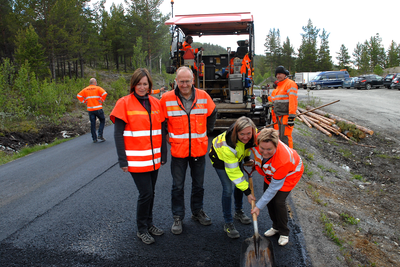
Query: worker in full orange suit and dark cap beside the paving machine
284, 101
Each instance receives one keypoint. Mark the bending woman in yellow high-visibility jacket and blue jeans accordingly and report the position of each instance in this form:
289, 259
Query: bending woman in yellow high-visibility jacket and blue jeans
228, 151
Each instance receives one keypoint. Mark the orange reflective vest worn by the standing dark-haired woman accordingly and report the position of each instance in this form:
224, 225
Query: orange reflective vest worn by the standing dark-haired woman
142, 135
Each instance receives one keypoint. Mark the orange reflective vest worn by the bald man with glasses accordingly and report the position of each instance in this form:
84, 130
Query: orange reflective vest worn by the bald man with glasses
187, 132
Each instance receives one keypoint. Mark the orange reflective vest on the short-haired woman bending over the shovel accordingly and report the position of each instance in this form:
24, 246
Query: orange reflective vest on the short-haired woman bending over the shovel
285, 165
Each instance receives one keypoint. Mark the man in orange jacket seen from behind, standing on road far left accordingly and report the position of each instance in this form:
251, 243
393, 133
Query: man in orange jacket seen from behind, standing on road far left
93, 96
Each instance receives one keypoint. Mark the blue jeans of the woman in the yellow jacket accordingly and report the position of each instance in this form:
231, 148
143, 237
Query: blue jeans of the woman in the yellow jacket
228, 187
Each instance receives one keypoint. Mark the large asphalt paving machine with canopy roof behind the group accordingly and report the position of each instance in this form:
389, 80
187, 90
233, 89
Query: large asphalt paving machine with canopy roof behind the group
221, 75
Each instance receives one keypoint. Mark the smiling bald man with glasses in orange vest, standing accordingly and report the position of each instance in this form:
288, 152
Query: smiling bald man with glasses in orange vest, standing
190, 115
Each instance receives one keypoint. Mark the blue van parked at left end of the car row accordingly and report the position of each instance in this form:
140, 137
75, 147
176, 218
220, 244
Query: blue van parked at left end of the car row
329, 79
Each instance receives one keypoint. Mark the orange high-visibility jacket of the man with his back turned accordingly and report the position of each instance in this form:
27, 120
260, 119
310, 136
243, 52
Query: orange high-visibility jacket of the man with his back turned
93, 96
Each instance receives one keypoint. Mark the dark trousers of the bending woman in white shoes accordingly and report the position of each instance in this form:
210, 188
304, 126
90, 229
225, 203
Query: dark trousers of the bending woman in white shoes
278, 211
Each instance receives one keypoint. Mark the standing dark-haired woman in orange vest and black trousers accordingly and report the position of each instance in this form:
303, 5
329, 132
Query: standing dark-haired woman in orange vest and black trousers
141, 146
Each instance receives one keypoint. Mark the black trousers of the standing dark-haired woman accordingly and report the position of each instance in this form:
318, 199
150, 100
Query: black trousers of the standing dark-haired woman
146, 184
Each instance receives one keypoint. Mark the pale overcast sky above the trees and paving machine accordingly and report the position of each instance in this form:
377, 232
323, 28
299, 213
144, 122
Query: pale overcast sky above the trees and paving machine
348, 22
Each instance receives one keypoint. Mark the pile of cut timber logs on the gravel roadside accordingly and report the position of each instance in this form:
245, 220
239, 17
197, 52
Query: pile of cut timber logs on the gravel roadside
330, 124
